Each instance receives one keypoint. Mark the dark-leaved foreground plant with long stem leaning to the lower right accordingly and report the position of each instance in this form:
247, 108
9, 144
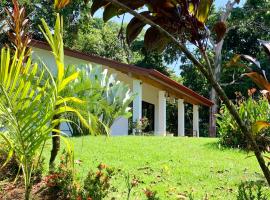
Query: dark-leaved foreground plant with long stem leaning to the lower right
178, 22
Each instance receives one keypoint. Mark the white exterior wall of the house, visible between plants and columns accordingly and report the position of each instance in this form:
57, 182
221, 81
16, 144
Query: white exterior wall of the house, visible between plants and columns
120, 126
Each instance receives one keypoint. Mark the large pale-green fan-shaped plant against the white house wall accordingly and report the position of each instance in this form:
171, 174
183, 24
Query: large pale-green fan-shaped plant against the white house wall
106, 99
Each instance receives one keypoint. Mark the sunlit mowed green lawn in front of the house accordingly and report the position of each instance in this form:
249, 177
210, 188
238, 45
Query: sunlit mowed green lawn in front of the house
171, 166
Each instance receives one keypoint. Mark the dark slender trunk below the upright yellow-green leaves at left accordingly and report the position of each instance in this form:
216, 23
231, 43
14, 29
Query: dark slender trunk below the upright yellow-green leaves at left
55, 142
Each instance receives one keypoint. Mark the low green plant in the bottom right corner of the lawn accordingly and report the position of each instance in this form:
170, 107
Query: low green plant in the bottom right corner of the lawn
251, 191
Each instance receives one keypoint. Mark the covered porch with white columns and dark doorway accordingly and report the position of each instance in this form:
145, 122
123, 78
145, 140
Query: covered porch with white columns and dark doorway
157, 101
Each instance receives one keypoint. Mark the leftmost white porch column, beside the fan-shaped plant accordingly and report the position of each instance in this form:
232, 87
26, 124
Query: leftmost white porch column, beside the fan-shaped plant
137, 102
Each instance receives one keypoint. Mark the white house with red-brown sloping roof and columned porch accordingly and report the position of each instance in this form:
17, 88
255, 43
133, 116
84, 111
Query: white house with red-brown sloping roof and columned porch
153, 89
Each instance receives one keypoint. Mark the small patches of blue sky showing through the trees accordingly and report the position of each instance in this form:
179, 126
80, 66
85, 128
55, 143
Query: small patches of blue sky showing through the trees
175, 66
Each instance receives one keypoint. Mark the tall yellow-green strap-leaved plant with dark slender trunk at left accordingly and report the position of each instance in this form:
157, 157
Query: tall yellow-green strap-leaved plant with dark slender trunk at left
56, 43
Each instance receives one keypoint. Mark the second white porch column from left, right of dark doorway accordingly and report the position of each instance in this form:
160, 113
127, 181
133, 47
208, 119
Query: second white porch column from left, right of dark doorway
161, 126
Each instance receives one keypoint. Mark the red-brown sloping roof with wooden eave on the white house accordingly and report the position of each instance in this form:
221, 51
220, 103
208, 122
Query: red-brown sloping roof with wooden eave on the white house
149, 76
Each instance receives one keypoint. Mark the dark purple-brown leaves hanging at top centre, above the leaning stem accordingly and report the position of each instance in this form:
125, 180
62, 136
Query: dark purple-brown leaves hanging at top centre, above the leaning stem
180, 17
